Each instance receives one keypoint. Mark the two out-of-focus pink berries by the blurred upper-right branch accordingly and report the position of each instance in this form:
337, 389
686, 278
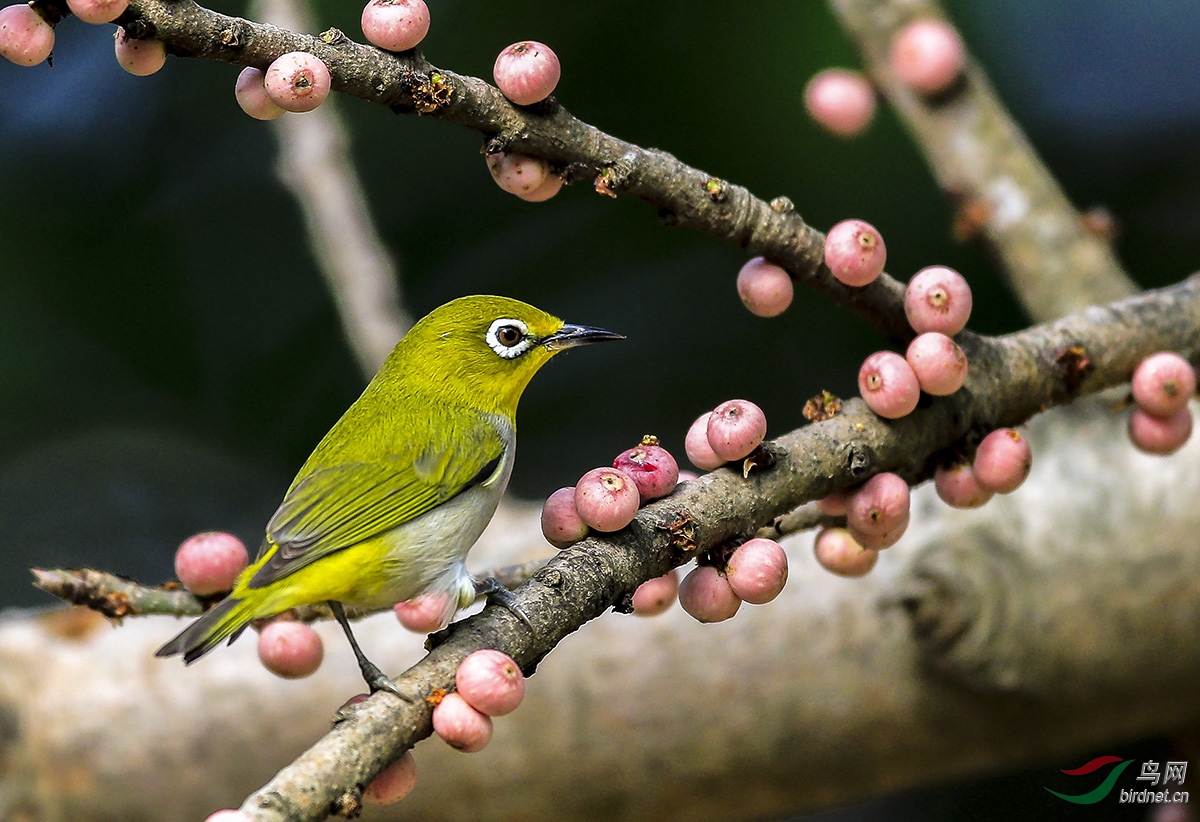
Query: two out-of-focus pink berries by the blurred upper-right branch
927, 56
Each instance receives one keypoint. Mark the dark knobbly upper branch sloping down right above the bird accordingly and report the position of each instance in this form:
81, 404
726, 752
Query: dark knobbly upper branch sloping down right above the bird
407, 83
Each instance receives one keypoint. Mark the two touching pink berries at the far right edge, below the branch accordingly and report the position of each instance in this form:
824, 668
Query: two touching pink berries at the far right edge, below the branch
1161, 422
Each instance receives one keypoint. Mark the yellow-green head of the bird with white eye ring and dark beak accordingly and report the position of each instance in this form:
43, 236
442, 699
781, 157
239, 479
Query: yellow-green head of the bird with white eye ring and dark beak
489, 347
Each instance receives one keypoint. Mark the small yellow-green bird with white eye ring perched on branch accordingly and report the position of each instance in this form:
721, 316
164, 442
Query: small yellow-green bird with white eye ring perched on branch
395, 495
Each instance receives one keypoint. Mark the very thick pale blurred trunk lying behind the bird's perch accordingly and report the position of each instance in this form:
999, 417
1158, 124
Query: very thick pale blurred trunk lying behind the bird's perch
1093, 627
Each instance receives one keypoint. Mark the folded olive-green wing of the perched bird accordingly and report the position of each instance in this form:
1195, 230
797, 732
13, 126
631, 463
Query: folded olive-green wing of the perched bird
373, 497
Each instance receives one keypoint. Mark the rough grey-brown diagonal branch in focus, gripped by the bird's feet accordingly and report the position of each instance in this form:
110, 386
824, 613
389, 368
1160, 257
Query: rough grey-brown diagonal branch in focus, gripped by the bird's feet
1022, 375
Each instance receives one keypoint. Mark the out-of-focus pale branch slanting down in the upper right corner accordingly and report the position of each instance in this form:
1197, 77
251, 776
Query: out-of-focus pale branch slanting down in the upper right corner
980, 157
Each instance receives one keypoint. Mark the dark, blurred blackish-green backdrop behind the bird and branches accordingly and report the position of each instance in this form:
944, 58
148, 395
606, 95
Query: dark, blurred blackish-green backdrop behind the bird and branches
170, 355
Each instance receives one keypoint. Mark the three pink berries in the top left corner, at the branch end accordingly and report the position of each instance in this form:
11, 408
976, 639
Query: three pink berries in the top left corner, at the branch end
28, 39
